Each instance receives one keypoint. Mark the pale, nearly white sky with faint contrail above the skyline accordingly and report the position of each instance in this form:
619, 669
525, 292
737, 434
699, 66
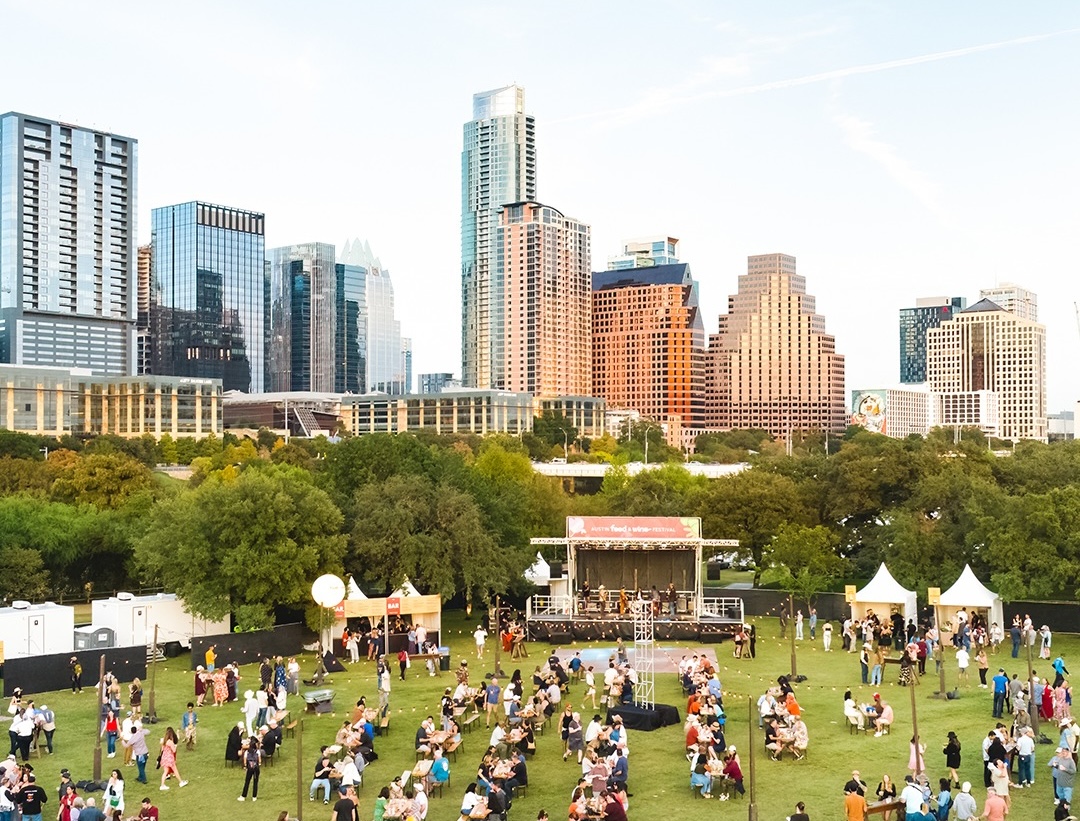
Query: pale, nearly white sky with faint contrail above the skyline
897, 150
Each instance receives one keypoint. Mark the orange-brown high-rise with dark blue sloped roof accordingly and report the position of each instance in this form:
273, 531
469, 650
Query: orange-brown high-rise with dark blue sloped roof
649, 343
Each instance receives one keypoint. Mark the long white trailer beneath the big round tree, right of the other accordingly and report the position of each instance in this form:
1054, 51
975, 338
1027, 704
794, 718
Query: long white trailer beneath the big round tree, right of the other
133, 618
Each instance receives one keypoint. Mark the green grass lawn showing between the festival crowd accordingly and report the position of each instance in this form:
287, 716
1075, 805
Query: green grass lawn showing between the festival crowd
659, 773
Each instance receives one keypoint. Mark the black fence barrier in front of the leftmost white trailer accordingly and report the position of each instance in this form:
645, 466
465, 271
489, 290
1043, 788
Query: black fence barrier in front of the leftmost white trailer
47, 674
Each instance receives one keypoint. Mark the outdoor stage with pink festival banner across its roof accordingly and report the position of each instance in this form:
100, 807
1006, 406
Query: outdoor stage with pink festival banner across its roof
654, 559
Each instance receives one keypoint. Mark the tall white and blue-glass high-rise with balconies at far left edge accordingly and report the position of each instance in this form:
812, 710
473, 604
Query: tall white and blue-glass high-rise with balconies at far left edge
67, 246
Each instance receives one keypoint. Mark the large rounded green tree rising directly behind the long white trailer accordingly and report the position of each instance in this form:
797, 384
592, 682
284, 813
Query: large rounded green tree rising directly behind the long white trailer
245, 543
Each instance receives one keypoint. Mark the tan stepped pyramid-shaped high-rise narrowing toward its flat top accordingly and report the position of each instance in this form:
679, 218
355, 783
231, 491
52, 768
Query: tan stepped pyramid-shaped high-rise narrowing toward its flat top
772, 366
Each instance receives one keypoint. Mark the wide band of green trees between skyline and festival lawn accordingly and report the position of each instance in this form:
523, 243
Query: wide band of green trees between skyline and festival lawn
261, 519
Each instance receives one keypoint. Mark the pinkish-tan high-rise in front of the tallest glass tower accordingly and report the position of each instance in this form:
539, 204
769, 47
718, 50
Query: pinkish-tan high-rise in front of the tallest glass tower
545, 262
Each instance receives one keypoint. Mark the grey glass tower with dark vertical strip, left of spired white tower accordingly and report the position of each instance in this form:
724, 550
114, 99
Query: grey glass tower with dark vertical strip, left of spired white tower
303, 318
